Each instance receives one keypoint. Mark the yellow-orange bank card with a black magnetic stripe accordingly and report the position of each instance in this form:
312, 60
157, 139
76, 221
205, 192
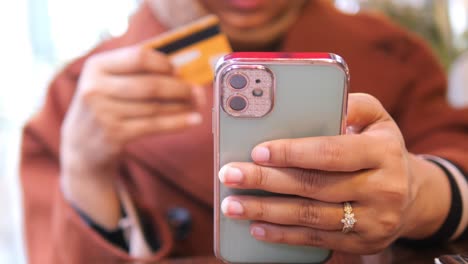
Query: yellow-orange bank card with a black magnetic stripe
194, 49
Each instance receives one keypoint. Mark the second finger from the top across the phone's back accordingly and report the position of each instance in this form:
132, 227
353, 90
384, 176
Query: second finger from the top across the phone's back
325, 186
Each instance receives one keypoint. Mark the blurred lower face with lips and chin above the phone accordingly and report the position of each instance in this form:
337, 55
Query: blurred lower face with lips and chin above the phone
251, 24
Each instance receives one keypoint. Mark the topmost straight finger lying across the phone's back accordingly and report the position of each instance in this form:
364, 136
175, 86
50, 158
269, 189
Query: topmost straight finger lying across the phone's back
336, 153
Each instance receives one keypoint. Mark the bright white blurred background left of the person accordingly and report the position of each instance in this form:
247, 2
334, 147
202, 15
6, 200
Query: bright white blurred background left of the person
74, 27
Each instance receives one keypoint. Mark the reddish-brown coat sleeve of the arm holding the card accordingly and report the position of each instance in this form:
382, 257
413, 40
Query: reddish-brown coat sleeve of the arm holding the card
54, 231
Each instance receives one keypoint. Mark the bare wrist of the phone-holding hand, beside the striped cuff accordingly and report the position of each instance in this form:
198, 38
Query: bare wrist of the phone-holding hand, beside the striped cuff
431, 203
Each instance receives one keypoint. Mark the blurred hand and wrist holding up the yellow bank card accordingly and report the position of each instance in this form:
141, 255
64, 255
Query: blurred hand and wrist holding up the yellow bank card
122, 95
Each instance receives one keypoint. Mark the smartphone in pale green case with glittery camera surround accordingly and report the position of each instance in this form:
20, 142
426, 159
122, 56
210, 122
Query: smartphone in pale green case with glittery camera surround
265, 96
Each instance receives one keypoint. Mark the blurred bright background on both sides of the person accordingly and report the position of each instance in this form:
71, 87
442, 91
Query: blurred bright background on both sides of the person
40, 36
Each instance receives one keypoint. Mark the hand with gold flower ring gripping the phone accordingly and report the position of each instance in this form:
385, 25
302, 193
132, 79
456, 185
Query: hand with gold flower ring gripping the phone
392, 192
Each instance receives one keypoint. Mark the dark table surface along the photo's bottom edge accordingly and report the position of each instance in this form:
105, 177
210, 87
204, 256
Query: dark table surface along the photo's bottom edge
394, 254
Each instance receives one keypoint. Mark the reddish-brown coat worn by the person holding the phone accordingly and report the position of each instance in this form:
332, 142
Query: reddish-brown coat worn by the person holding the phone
176, 171
